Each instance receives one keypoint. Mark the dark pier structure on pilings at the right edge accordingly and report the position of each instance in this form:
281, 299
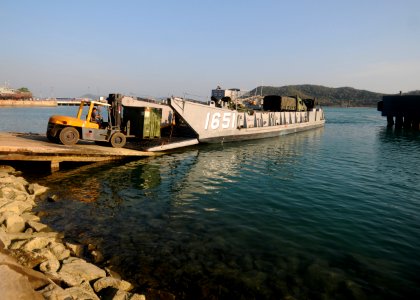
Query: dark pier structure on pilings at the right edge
403, 111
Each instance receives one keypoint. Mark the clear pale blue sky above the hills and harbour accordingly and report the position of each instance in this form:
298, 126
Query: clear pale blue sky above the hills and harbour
186, 48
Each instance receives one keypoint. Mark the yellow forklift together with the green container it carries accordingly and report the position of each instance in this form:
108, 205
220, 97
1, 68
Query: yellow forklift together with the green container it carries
140, 122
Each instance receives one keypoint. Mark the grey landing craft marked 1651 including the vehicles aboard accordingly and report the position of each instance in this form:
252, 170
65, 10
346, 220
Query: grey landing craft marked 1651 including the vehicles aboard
221, 121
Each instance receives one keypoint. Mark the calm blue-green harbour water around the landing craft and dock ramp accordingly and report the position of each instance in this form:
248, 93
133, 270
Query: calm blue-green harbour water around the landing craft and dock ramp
332, 213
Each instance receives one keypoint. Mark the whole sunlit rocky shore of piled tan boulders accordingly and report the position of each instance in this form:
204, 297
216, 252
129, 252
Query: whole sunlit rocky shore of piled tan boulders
37, 263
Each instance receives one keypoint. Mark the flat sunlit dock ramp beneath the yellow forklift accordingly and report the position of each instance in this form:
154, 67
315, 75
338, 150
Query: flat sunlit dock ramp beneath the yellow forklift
36, 147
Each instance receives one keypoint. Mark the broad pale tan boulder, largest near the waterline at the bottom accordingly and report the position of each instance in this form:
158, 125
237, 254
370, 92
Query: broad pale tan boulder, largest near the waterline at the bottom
75, 270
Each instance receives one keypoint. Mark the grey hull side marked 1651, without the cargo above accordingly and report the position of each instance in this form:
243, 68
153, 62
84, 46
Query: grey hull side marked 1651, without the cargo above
213, 124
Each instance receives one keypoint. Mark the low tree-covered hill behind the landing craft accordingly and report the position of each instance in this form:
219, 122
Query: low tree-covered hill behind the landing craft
343, 96
